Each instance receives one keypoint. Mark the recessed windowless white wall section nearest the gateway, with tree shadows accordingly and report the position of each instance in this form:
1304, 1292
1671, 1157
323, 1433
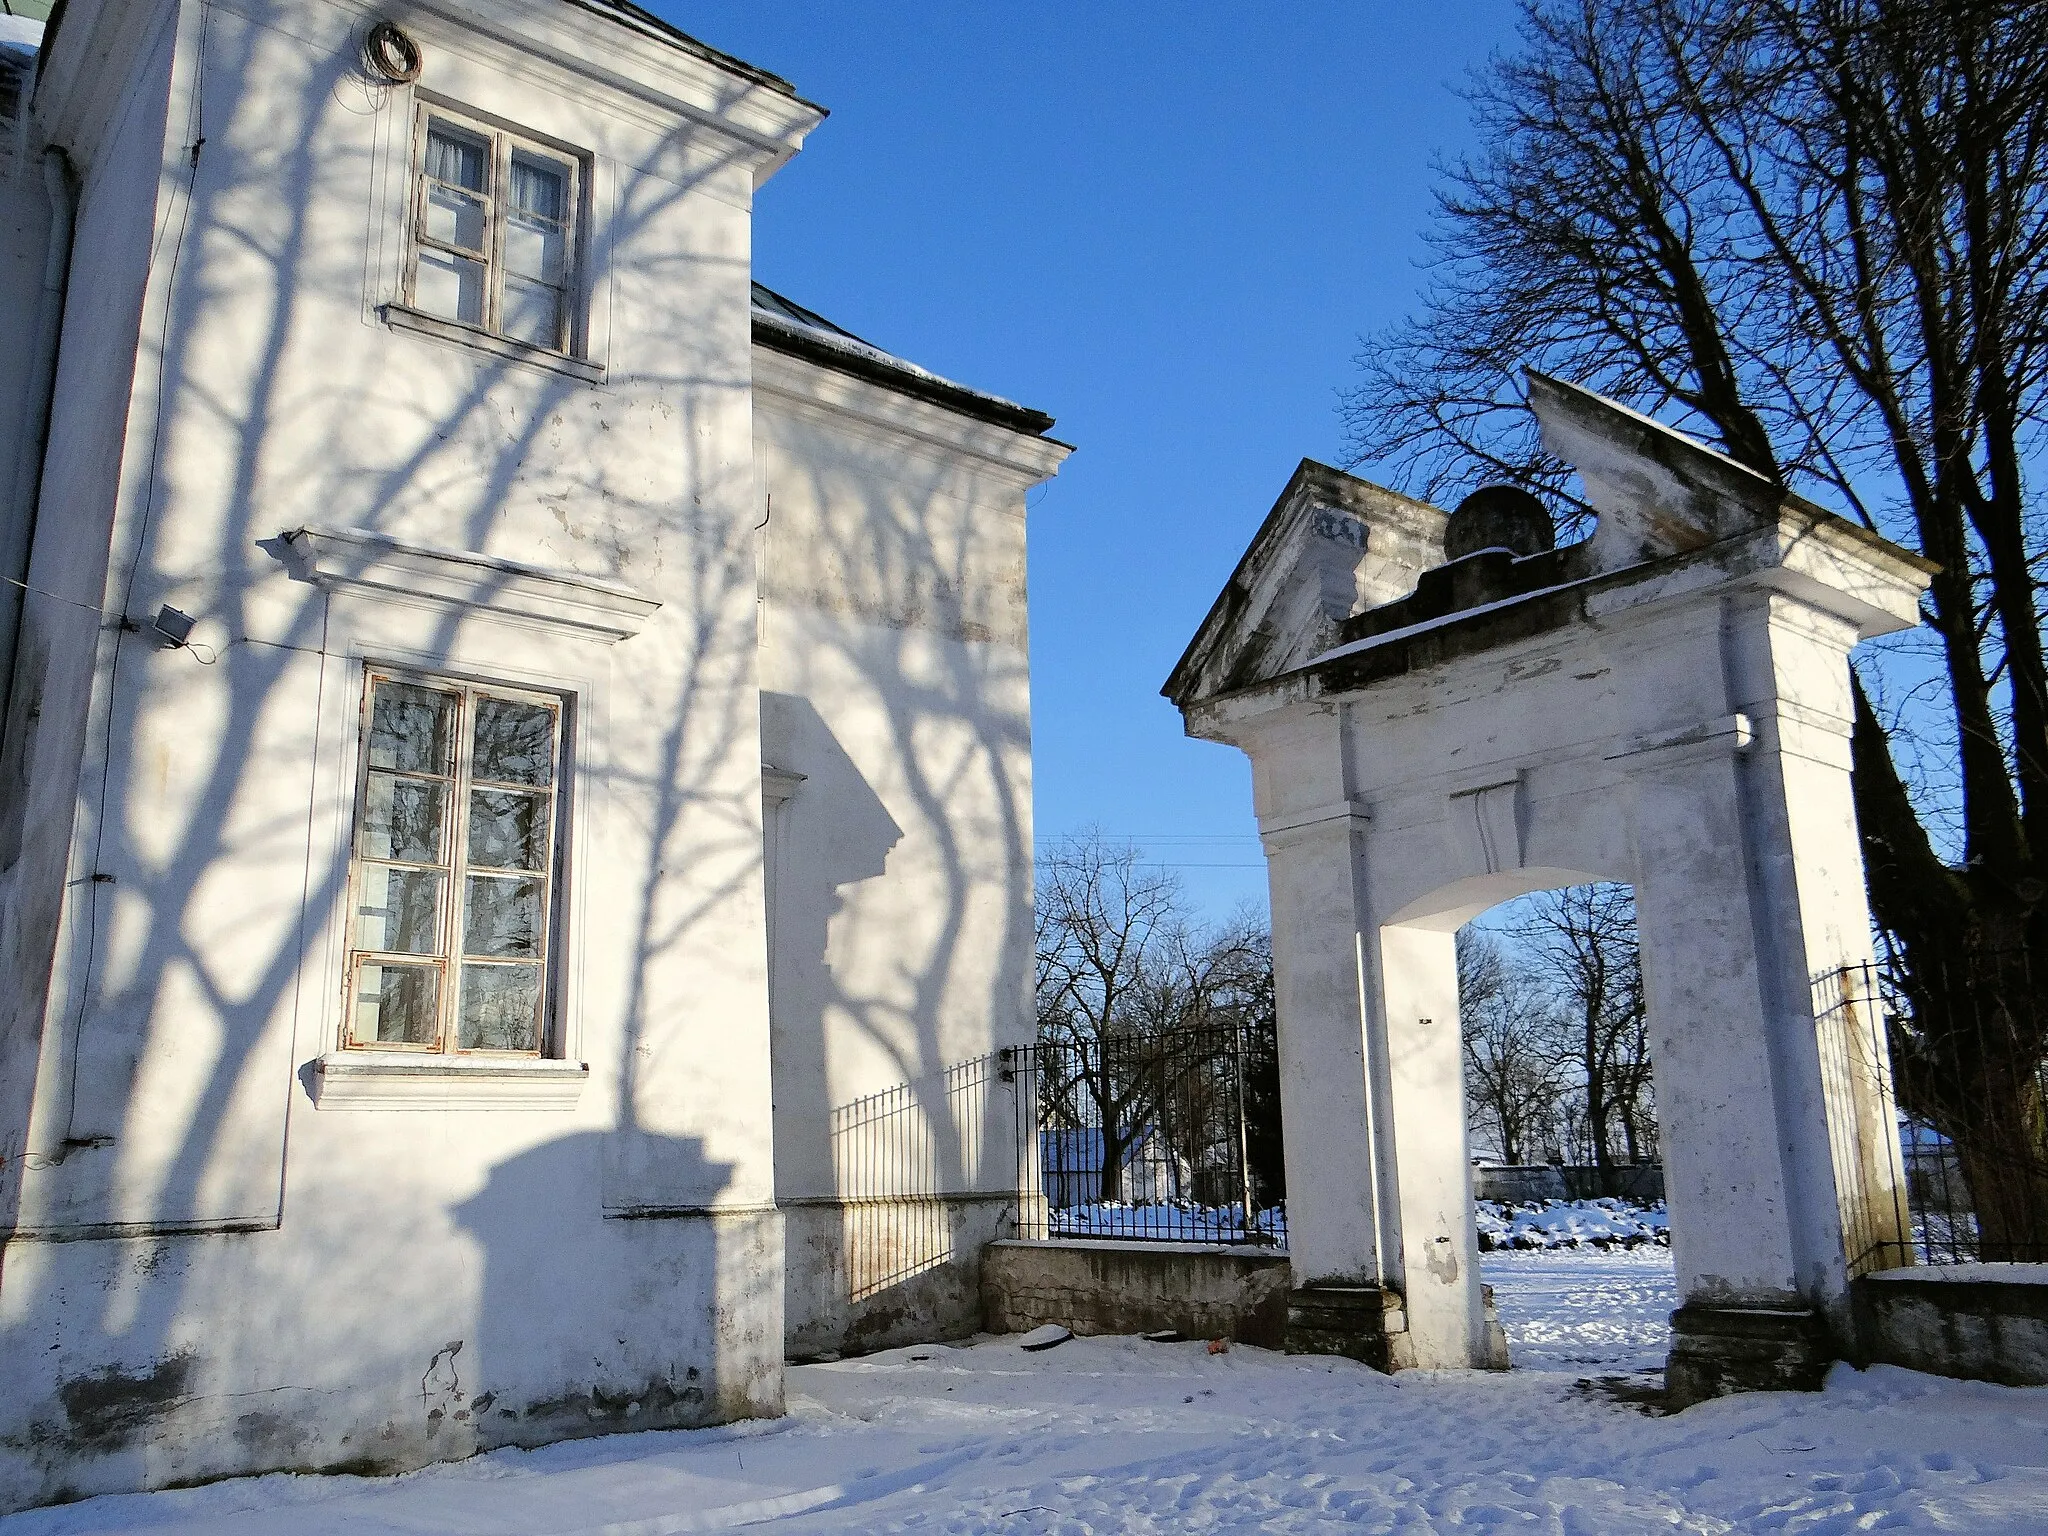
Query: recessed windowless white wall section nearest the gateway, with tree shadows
896, 683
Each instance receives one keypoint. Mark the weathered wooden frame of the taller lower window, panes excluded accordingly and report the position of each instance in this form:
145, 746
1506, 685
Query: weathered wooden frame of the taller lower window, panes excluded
456, 869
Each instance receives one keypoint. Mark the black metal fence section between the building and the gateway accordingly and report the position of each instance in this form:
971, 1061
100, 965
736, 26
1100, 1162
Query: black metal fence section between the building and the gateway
1156, 1138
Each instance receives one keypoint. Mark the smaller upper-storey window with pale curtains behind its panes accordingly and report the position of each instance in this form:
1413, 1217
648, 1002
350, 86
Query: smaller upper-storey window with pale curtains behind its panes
495, 232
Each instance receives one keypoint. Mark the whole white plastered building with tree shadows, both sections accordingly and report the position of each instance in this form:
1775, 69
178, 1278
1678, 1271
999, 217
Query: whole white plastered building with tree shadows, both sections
515, 790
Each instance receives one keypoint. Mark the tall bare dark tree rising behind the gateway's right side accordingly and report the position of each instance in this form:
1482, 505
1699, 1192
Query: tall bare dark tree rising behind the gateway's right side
1818, 234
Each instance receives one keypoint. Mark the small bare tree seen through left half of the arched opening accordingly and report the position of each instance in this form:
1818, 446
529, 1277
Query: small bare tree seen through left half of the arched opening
1514, 1076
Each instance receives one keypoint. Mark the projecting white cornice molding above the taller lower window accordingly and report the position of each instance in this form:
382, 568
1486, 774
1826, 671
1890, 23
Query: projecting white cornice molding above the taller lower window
378, 566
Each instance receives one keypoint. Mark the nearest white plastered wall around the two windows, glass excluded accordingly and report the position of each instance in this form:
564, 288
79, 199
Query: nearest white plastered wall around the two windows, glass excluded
202, 1220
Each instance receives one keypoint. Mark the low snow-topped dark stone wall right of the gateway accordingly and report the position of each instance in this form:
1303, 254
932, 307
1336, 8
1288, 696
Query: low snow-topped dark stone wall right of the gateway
1988, 1322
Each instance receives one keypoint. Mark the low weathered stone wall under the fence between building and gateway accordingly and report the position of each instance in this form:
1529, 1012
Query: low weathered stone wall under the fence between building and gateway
1093, 1287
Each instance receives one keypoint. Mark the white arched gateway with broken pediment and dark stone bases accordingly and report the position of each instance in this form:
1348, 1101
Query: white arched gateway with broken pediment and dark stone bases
1666, 703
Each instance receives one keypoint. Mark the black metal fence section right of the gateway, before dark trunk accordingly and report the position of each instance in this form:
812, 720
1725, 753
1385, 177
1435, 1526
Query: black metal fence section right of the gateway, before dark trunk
1963, 1177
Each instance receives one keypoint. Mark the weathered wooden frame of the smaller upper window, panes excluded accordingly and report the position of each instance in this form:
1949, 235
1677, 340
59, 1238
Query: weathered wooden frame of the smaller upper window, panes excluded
501, 144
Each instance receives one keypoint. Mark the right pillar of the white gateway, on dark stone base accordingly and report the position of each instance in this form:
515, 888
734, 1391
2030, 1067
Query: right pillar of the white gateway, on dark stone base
1781, 1166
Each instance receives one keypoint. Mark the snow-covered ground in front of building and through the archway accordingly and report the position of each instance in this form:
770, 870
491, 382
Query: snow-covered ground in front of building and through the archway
1129, 1437
